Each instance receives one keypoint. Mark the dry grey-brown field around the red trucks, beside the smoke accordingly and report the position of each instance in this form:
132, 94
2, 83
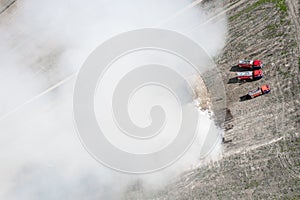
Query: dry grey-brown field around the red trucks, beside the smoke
262, 139
